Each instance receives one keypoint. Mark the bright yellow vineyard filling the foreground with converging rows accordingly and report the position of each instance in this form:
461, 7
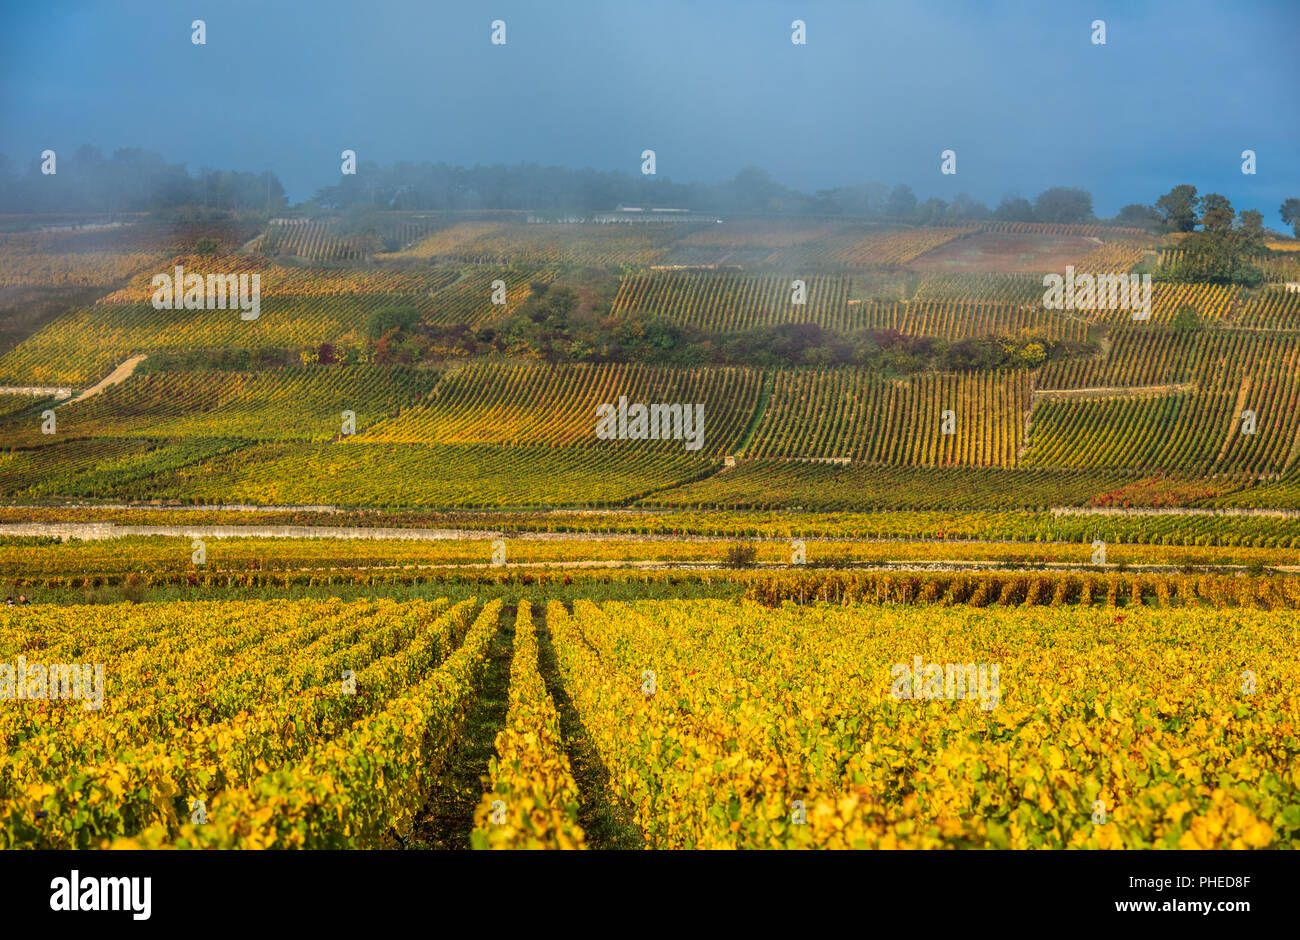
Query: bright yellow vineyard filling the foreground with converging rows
331, 725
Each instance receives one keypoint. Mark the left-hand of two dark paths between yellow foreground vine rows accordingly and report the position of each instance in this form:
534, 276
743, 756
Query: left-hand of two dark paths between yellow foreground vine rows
448, 818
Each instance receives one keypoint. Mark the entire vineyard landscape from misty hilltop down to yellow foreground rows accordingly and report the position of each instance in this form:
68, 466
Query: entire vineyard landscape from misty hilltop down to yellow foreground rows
768, 534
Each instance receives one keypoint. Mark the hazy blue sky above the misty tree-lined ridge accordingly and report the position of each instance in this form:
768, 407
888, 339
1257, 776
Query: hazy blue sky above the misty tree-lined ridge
1017, 89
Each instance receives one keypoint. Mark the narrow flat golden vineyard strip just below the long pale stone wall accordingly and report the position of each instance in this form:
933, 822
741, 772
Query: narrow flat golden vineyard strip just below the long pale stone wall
259, 561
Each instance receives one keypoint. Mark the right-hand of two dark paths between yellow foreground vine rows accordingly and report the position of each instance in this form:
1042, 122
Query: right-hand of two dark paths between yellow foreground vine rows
605, 825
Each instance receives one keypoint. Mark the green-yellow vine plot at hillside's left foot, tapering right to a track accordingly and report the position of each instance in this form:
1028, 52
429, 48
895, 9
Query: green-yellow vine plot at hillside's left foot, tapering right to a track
214, 471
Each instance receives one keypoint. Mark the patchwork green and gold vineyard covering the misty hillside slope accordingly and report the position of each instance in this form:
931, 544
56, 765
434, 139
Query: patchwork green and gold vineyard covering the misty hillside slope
1156, 410
